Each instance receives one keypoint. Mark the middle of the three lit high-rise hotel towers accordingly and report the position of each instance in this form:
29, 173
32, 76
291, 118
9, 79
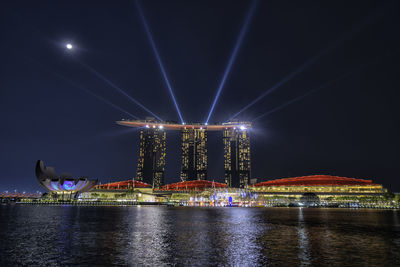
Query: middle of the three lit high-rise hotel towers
194, 154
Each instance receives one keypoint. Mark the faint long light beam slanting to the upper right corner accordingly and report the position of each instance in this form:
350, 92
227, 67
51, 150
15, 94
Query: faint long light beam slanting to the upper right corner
347, 35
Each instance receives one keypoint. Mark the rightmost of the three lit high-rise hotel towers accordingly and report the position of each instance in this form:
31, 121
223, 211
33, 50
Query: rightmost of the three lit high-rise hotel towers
237, 156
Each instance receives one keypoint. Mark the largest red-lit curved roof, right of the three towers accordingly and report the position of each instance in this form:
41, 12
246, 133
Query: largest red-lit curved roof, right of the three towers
314, 180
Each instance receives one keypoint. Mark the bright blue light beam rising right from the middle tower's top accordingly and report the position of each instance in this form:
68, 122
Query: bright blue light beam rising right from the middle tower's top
233, 56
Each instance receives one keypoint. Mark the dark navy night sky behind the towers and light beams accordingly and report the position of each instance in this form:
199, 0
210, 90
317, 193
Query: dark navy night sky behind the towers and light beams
348, 128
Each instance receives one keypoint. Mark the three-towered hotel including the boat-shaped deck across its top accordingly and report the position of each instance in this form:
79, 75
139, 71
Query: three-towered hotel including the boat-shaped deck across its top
152, 150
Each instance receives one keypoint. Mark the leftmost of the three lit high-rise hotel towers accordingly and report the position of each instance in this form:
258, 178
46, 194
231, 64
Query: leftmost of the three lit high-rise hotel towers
151, 161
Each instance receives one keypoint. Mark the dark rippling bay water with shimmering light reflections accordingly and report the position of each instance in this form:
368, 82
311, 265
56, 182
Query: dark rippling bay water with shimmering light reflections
160, 236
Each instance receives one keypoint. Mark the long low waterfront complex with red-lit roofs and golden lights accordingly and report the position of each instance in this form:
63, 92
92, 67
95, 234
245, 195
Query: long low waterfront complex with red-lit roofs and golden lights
315, 190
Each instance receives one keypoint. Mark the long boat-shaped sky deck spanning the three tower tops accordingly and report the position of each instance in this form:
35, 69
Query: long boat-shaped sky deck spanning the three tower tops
177, 126
